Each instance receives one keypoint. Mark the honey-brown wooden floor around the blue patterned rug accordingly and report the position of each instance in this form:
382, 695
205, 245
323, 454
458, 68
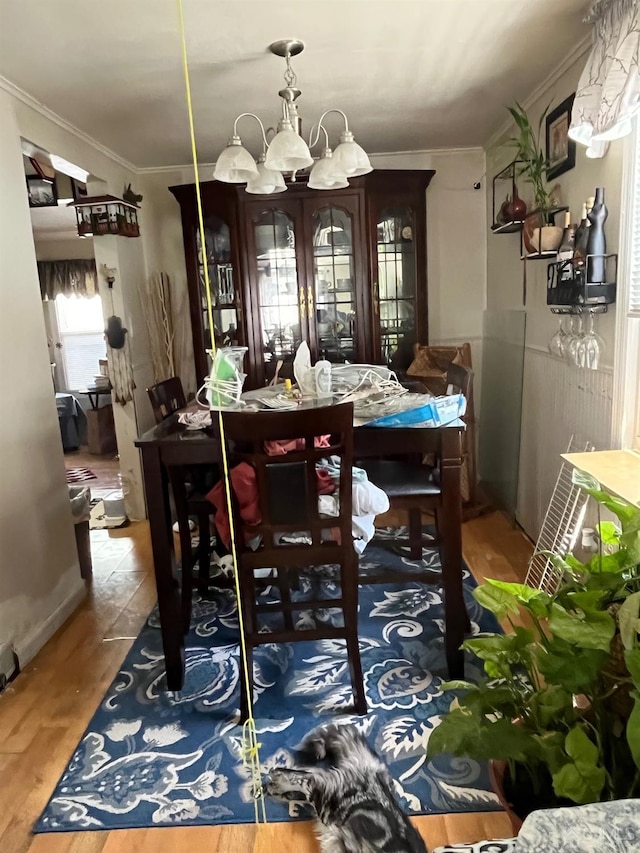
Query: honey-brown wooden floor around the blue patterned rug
44, 712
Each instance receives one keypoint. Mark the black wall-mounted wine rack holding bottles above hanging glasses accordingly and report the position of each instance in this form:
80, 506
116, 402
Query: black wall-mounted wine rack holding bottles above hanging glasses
569, 292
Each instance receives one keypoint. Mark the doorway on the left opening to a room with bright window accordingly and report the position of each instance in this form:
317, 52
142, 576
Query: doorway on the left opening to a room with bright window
74, 326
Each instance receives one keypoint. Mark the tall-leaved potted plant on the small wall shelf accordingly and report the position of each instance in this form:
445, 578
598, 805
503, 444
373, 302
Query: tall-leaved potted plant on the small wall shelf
540, 234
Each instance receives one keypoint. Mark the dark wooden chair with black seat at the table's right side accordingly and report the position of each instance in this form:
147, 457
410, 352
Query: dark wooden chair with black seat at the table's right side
414, 487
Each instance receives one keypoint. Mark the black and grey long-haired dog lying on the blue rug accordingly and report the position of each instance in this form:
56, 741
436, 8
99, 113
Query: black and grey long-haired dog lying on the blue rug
352, 794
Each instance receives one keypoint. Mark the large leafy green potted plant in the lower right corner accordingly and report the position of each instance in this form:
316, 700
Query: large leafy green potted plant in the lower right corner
558, 712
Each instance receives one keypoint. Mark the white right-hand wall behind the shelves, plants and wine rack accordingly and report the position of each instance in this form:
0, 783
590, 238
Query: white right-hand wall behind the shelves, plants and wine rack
568, 400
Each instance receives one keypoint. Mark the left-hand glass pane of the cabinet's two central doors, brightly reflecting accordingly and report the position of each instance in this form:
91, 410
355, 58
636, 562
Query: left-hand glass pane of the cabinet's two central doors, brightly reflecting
281, 304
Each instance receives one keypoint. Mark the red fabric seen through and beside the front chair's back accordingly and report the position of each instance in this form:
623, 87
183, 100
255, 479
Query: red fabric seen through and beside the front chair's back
243, 482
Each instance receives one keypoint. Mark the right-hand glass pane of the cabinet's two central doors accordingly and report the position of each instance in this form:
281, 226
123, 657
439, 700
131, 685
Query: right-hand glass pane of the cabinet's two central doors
333, 285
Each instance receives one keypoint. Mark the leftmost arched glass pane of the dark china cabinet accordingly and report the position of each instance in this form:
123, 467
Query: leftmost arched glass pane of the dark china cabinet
224, 296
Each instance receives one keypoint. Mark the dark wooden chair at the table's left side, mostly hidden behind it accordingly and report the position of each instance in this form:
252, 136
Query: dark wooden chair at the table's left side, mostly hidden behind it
189, 487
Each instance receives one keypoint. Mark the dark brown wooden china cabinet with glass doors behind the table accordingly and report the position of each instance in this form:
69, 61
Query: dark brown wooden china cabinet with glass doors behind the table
344, 270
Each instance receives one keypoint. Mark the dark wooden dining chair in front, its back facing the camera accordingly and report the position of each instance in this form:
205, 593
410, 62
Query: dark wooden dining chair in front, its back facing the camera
287, 493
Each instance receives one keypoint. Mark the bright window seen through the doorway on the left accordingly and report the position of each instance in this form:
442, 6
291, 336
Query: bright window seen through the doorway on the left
81, 329
